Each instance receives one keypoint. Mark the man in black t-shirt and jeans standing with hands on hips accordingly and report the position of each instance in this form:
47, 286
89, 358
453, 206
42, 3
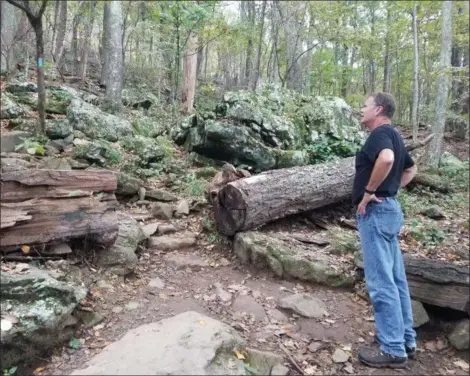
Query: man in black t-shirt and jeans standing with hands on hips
383, 165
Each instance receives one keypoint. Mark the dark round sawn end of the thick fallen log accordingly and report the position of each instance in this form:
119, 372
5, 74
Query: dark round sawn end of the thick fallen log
231, 210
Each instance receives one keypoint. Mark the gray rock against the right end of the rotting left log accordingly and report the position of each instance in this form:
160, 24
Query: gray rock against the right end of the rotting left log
120, 258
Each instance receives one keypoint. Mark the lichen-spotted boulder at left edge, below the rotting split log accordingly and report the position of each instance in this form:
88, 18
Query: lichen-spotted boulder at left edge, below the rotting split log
36, 313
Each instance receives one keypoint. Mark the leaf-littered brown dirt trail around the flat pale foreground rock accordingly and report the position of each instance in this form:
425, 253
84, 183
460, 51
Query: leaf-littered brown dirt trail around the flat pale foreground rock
159, 289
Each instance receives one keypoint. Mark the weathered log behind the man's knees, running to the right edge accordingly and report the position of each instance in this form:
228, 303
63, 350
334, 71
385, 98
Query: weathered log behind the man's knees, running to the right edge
438, 283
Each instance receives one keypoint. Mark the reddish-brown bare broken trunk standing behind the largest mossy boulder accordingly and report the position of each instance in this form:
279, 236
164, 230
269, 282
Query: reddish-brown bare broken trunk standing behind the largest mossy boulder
188, 85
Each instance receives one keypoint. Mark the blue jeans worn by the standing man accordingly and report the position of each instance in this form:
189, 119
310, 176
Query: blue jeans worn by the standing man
385, 275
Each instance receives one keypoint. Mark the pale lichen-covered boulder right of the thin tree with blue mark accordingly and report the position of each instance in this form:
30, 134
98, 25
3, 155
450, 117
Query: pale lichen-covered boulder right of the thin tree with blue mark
95, 123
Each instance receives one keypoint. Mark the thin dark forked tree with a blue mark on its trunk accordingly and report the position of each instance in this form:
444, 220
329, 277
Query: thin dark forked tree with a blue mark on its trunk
35, 19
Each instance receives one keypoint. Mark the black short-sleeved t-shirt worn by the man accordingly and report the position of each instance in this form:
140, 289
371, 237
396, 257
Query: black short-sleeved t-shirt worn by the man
382, 137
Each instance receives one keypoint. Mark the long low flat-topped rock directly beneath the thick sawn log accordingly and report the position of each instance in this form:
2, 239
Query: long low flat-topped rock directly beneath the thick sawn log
289, 258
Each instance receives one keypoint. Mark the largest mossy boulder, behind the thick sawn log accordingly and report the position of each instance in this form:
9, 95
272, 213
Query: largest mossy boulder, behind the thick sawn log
274, 129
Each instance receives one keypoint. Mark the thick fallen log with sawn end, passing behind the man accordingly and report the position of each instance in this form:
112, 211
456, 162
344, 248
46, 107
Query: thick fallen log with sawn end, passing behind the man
254, 201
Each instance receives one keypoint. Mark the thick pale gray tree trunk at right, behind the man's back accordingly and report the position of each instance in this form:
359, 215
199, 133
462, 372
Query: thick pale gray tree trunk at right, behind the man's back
435, 147
